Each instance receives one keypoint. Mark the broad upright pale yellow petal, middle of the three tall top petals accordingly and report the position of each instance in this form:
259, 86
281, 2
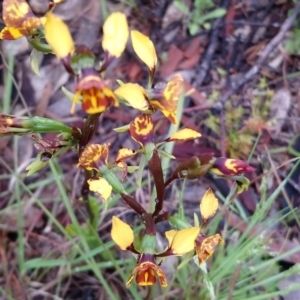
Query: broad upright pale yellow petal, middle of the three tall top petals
115, 34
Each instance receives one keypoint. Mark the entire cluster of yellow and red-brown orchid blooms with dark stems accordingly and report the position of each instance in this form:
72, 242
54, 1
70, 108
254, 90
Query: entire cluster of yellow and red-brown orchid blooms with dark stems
101, 171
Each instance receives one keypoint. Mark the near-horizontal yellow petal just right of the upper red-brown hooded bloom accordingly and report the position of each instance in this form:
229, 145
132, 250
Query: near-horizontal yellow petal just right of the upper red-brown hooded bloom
134, 94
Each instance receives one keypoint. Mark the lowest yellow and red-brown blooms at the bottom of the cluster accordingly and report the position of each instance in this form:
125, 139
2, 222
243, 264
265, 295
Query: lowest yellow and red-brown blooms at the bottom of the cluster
180, 242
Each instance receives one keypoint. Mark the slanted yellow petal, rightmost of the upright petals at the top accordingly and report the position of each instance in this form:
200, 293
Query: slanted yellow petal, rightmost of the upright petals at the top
144, 49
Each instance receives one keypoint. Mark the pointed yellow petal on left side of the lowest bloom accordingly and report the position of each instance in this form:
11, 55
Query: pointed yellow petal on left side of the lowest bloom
121, 233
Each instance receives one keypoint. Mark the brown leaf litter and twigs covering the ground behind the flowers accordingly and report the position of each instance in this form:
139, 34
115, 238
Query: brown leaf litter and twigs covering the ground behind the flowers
241, 83
